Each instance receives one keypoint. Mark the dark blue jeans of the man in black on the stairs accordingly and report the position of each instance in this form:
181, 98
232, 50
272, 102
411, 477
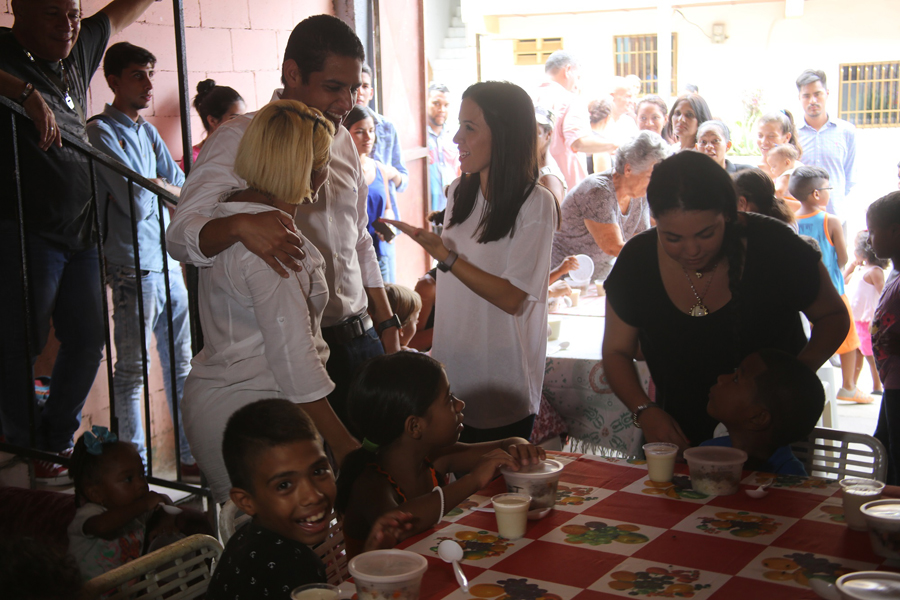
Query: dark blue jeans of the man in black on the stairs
65, 286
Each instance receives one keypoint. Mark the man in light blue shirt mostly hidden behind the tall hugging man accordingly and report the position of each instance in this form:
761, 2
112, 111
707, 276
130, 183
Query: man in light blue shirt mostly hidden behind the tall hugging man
388, 152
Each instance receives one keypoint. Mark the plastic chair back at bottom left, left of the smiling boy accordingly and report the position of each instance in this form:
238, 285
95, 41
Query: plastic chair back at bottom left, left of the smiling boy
179, 571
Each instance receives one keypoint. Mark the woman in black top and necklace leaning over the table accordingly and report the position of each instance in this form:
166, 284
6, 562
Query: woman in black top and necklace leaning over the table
704, 288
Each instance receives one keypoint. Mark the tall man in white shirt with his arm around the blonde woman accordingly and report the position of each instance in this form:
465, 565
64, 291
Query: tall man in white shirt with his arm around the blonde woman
322, 65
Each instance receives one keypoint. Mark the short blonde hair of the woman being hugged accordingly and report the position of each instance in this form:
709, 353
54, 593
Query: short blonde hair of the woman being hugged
284, 143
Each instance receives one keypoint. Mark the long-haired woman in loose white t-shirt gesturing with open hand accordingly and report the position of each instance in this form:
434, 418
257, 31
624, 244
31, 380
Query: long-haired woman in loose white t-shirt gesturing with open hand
490, 326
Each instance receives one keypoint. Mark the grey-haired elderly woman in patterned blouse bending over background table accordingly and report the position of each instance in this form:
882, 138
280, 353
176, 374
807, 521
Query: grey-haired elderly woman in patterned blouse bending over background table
605, 210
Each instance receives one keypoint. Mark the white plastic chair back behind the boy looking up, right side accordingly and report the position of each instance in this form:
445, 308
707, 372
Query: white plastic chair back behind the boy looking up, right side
835, 454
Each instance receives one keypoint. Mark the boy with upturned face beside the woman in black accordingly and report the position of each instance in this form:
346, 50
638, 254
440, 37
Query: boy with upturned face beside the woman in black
771, 401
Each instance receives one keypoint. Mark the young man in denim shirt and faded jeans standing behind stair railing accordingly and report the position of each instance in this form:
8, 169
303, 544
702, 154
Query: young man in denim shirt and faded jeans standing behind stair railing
123, 134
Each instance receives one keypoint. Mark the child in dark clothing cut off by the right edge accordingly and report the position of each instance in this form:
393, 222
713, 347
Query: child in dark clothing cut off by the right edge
883, 221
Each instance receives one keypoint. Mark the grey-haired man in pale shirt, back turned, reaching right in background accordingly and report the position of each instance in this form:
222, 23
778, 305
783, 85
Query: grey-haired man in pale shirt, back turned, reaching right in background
572, 132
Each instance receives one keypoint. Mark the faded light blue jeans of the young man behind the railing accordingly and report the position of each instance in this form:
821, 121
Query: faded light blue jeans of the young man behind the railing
128, 379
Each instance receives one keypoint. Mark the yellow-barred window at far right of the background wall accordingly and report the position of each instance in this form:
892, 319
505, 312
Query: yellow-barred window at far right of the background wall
870, 94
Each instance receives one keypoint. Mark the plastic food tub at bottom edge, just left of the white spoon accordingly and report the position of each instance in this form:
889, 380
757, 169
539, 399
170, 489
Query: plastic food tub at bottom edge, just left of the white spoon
388, 574
